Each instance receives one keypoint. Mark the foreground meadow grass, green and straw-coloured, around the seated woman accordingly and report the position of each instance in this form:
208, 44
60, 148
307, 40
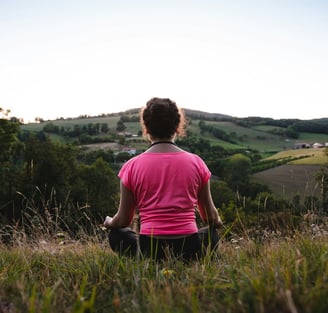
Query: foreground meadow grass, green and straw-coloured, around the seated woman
274, 274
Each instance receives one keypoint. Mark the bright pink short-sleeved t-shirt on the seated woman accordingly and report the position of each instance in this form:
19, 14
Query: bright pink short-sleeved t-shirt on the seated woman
166, 188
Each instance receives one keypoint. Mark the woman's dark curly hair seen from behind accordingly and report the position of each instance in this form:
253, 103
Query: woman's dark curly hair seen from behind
161, 119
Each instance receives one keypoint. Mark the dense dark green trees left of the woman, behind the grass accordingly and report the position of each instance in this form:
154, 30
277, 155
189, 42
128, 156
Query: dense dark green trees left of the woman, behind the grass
49, 170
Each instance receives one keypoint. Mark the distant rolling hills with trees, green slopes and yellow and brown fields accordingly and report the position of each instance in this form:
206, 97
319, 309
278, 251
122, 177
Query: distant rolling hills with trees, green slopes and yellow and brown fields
272, 139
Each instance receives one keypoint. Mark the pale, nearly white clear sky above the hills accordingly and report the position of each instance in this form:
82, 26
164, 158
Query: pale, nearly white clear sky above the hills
67, 58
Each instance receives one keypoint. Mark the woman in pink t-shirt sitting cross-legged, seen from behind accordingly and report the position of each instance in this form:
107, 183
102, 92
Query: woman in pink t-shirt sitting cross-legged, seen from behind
166, 185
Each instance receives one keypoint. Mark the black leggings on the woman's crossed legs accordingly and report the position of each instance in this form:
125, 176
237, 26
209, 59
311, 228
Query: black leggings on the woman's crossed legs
125, 242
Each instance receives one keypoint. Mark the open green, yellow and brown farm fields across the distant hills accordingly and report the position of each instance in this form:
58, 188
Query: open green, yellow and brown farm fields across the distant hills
295, 178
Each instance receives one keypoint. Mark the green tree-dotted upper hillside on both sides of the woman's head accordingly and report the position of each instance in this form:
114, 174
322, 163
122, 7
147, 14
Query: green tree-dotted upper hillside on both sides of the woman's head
265, 135
